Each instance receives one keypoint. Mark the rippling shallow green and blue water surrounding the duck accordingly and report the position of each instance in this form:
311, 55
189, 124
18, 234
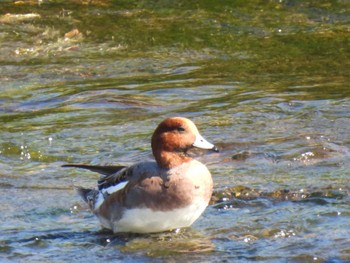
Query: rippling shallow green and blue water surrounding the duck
267, 82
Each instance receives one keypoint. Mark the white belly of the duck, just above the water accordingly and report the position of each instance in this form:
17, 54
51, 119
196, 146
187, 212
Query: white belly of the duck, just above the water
145, 220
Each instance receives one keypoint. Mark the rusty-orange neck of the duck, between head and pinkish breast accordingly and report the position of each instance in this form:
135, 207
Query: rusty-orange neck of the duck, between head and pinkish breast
168, 160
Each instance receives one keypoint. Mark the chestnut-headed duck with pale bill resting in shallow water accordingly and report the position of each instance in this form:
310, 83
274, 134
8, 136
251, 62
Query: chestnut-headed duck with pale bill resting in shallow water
166, 194
